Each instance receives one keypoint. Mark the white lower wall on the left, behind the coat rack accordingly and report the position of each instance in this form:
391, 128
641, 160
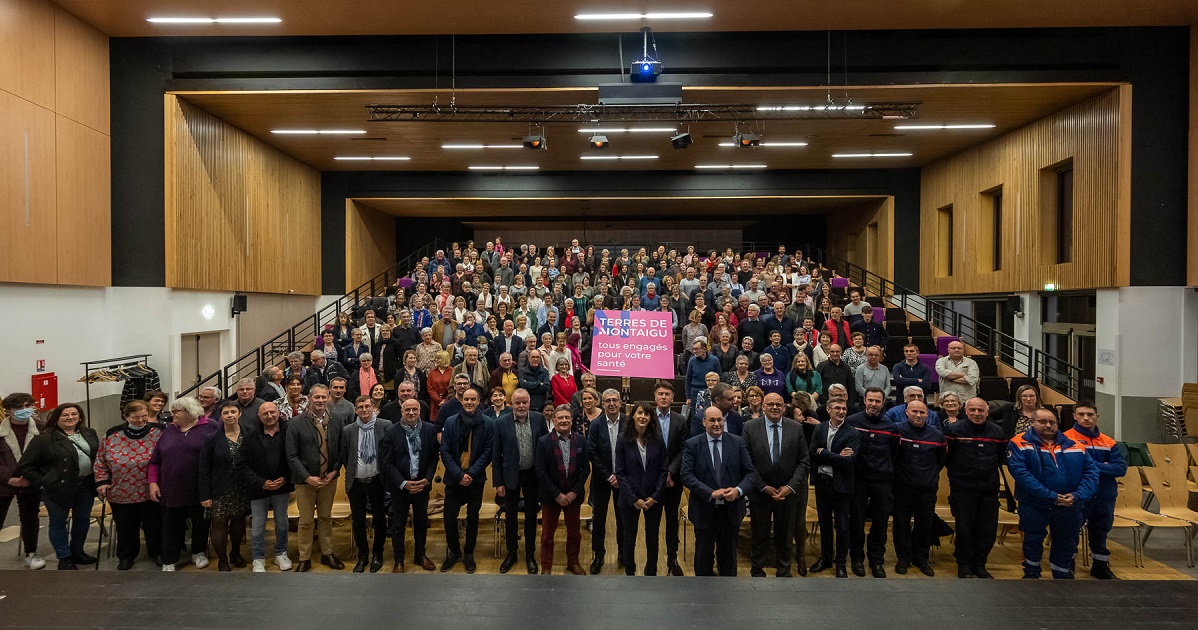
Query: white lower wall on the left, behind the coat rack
84, 324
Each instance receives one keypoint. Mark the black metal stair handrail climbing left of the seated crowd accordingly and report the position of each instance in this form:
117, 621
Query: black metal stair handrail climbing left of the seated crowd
252, 364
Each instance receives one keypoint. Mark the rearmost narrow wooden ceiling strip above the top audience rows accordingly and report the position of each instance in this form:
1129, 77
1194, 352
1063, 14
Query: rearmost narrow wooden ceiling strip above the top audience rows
621, 208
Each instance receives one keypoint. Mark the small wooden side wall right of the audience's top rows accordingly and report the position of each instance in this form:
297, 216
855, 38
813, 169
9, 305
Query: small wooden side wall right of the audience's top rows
866, 237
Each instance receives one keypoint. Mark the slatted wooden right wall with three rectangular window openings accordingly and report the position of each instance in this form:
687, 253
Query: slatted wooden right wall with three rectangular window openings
1090, 135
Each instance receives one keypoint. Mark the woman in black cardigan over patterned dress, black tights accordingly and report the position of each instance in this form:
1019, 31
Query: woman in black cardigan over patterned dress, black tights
223, 487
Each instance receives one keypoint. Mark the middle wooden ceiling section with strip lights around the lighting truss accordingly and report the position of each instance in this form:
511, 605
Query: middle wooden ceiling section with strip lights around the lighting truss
1008, 106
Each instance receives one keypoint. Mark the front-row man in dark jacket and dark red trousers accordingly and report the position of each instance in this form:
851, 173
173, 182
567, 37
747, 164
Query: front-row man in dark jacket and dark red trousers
562, 470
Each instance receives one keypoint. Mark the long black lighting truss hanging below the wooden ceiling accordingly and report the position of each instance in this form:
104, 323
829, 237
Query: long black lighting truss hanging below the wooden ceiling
612, 114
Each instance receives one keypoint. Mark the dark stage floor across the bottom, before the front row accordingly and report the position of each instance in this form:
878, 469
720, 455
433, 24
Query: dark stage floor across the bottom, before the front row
108, 599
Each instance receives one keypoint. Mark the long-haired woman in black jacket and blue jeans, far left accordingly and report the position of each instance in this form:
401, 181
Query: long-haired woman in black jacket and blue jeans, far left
60, 462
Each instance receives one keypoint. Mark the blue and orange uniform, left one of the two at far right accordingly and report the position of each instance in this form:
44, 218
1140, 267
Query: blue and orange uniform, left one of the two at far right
1042, 474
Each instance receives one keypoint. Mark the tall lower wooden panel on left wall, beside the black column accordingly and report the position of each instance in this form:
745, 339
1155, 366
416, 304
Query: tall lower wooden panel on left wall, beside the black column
84, 205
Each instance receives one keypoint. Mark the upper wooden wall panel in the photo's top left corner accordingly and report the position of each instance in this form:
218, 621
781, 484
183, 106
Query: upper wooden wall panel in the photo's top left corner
27, 50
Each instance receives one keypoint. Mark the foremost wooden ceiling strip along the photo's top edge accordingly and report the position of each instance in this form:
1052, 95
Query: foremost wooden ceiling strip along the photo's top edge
128, 19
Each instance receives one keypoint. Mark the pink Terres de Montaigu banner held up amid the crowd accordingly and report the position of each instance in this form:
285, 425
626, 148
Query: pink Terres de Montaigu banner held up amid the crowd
636, 344
